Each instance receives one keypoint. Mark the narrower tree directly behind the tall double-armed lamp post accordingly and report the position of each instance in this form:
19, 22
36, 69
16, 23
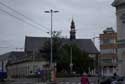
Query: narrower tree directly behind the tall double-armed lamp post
45, 50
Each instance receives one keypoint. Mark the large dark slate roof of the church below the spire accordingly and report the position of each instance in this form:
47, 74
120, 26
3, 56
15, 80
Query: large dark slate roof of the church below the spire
36, 43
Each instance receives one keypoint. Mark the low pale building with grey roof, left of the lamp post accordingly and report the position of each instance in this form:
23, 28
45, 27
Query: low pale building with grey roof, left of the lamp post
19, 65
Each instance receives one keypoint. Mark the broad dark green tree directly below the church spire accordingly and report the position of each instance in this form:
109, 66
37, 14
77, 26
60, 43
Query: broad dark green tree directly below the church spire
81, 60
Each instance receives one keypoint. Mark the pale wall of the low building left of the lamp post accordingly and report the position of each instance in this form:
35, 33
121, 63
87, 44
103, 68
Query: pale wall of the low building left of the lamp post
26, 69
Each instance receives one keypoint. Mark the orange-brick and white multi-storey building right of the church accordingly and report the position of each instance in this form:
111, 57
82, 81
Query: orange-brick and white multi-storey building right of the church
108, 50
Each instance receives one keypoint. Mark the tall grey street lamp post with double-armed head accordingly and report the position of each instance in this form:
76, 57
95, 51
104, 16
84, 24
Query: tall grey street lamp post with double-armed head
51, 40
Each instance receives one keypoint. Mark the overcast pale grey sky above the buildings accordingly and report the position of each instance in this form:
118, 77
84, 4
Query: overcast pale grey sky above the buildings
91, 17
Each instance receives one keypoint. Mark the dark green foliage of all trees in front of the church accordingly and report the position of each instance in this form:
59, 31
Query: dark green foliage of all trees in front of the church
62, 53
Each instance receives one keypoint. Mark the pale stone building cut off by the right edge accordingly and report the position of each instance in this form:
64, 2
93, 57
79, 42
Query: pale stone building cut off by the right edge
120, 14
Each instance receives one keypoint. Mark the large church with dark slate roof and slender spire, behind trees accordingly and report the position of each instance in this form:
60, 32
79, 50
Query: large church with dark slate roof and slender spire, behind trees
34, 44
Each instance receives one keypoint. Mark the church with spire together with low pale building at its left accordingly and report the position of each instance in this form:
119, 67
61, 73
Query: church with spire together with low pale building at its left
27, 63
